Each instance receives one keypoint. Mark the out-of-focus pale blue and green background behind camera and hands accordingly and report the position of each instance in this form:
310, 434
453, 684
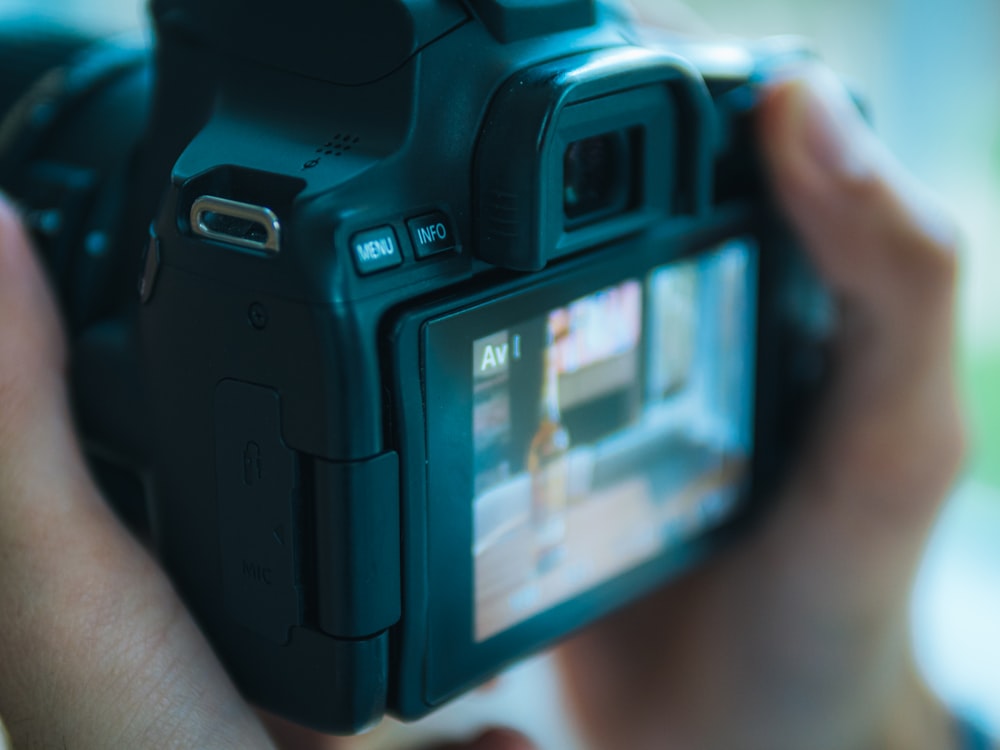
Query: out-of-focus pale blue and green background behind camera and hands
930, 70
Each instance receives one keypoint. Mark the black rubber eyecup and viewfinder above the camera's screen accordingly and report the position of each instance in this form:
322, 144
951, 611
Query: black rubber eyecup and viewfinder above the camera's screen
586, 150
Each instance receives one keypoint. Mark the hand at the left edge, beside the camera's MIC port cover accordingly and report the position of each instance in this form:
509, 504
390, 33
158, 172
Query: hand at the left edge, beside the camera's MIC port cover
96, 650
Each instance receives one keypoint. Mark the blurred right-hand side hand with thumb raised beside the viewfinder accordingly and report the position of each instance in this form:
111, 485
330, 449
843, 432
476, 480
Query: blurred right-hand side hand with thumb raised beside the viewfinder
798, 638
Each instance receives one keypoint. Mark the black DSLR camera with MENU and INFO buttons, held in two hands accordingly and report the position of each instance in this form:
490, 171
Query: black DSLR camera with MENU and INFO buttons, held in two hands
459, 323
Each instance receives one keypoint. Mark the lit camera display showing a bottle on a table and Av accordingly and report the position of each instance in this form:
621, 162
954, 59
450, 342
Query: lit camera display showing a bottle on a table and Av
608, 430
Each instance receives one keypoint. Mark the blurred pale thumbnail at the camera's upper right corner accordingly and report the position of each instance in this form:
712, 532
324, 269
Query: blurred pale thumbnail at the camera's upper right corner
834, 133
